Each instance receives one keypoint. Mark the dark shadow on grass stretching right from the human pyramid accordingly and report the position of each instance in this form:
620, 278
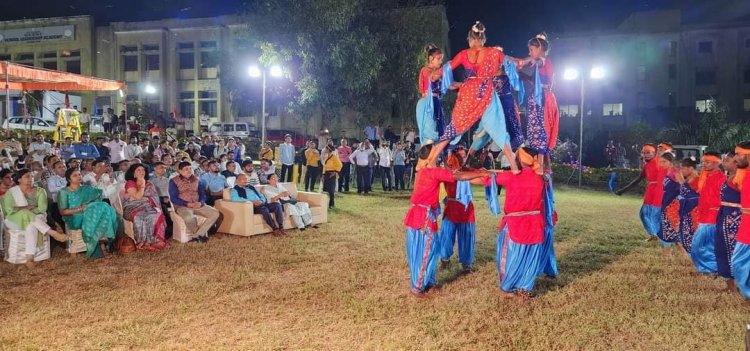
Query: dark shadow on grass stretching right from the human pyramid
591, 255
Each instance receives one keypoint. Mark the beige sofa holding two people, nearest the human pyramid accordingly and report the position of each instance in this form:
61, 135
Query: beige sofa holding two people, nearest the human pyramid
239, 218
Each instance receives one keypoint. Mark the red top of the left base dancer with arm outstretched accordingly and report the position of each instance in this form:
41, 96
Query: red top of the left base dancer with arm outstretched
425, 195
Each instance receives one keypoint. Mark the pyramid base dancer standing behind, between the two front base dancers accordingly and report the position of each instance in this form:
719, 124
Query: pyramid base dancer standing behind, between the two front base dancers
458, 219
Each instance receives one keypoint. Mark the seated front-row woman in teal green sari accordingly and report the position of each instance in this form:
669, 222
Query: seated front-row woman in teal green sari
83, 209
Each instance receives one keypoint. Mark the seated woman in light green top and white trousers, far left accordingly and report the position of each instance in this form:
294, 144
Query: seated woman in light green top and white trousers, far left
25, 208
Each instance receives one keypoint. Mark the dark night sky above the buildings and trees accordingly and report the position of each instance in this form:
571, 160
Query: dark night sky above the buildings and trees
509, 23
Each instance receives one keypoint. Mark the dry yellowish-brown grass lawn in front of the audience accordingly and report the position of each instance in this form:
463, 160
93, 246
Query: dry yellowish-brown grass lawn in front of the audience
345, 286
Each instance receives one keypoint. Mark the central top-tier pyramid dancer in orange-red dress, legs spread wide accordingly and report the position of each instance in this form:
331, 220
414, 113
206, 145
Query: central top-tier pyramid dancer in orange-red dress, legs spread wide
477, 93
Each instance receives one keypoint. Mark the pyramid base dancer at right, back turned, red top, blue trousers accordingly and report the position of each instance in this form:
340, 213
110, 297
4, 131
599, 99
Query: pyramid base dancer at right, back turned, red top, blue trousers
520, 241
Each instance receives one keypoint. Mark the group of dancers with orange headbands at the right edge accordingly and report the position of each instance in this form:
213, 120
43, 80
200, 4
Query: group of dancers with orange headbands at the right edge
705, 214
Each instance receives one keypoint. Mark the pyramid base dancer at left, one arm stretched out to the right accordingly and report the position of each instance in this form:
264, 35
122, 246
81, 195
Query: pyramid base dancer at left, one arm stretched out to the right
422, 237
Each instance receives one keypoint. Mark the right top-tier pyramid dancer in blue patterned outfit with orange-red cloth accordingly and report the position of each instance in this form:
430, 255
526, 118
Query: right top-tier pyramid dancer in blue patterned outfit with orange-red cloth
542, 113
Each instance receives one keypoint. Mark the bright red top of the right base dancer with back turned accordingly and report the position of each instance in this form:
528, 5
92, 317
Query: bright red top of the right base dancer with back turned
523, 193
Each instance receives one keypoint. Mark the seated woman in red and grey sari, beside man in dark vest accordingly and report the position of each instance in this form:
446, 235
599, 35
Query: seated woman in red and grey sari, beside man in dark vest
141, 205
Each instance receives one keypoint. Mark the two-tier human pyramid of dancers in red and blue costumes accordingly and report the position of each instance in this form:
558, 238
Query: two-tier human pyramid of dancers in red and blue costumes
525, 240
